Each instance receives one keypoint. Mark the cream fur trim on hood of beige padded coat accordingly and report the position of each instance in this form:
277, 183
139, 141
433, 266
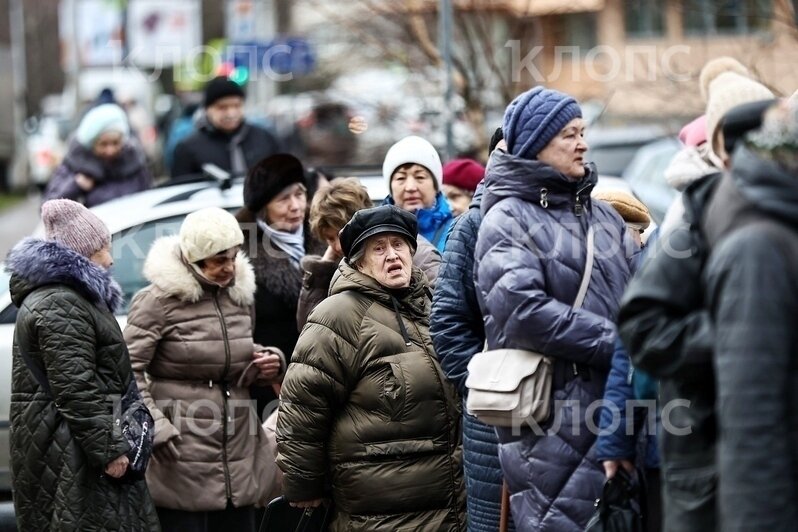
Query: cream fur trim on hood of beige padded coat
165, 269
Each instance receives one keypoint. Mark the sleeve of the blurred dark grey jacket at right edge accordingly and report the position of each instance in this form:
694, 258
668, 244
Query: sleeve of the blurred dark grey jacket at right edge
755, 375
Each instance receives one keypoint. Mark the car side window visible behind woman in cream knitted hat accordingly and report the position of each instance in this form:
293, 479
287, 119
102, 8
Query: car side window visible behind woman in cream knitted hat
130, 248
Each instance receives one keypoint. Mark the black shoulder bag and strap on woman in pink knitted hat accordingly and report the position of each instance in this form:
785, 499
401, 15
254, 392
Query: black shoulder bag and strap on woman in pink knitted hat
131, 417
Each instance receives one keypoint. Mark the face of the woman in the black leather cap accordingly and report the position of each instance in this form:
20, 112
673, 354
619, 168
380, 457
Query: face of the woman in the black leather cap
388, 259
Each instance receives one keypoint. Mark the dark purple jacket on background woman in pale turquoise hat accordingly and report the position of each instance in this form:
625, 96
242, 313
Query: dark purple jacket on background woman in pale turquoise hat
126, 174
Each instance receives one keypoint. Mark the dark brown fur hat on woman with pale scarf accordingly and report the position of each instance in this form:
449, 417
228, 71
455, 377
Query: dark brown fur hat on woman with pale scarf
269, 177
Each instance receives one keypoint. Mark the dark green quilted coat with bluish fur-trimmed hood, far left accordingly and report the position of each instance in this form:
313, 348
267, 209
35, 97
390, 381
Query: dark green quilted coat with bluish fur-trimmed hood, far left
59, 448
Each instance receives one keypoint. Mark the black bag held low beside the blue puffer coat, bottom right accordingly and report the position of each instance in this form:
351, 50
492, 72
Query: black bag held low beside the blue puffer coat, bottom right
618, 509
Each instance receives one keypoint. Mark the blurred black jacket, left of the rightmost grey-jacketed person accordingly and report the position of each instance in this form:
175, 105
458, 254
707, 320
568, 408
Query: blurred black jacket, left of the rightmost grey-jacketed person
667, 330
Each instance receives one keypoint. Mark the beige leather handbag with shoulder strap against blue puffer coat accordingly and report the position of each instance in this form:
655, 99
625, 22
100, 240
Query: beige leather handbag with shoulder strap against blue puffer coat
507, 387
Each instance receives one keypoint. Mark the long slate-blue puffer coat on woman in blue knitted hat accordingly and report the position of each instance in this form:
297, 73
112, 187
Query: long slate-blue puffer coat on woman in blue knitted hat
530, 256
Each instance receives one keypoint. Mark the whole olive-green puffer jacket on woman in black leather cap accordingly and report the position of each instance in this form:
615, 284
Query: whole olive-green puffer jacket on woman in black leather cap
366, 408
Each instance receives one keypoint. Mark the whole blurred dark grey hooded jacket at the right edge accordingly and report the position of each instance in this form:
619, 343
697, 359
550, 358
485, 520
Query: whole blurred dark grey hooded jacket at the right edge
751, 226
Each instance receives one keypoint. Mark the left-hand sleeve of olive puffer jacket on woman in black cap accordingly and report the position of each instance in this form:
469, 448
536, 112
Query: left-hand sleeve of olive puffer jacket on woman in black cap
314, 389
